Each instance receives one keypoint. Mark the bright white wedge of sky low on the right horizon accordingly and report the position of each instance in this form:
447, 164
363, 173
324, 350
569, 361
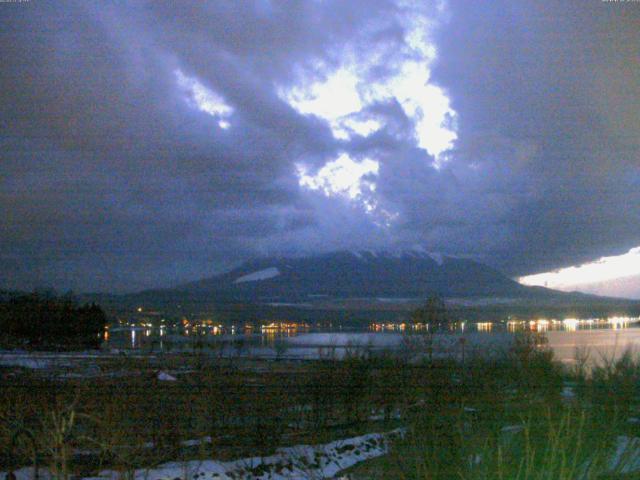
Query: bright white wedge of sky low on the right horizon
605, 269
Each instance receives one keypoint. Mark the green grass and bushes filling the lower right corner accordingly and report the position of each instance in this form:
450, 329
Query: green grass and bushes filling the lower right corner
508, 420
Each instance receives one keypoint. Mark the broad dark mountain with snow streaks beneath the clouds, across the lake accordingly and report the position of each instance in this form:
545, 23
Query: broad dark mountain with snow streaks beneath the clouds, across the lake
366, 274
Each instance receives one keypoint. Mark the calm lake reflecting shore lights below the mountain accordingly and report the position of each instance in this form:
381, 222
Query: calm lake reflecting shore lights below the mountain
596, 338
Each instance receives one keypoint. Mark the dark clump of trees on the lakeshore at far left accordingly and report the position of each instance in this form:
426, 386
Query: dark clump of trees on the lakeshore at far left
38, 321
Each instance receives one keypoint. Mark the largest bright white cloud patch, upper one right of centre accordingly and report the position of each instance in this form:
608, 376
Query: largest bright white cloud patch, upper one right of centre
341, 96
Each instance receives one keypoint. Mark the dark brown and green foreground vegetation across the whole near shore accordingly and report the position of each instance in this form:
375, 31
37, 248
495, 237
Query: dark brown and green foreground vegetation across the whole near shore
509, 415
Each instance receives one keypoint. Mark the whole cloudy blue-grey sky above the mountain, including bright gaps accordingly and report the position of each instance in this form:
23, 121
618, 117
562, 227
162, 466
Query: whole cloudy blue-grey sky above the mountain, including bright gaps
149, 143
